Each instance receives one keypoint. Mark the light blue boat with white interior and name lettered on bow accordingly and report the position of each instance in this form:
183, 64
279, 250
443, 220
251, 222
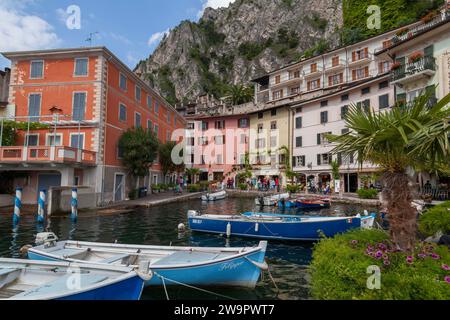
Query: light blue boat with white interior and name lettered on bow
169, 265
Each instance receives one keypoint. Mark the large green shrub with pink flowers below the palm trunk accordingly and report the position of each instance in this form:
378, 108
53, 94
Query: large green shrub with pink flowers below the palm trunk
340, 265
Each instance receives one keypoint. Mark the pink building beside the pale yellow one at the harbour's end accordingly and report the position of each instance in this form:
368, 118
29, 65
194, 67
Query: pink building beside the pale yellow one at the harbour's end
217, 145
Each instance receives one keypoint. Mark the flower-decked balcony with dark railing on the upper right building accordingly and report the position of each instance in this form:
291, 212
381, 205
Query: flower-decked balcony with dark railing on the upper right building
410, 72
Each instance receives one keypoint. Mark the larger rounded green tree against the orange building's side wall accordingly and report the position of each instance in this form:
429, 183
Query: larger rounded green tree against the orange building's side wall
139, 148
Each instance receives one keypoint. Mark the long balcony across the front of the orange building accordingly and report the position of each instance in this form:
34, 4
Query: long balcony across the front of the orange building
44, 155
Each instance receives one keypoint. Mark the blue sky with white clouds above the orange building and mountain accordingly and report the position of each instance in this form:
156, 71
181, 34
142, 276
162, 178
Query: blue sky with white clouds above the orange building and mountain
131, 29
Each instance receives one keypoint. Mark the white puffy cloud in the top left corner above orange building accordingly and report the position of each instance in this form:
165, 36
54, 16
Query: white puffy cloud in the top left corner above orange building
22, 31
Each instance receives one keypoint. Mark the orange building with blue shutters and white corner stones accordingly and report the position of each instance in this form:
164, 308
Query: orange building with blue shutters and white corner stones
83, 99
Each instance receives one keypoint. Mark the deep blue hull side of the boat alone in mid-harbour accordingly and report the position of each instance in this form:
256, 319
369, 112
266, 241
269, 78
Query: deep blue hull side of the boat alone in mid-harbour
261, 229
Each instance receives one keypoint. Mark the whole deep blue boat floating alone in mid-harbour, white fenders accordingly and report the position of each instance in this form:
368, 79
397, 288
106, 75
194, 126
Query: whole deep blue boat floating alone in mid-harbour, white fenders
274, 226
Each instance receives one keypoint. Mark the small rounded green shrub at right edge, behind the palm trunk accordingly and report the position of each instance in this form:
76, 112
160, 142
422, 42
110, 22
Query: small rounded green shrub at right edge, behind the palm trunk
436, 219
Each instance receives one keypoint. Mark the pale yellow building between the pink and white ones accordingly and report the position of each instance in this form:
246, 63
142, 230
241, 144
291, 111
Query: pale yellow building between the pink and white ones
270, 141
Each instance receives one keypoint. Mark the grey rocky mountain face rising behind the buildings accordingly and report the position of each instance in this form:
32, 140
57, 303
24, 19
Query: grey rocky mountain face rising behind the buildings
236, 44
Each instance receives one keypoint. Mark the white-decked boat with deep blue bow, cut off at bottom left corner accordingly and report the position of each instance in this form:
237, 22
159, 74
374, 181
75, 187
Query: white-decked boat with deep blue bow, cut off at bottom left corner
44, 280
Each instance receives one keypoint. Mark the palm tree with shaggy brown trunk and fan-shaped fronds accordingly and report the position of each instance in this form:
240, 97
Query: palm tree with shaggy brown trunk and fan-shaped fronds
399, 140
